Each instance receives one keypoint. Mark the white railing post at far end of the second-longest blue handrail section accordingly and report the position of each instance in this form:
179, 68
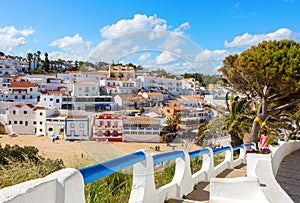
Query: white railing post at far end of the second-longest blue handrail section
183, 176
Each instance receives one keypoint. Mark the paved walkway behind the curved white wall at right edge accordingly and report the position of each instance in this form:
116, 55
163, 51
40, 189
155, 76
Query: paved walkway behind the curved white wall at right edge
288, 175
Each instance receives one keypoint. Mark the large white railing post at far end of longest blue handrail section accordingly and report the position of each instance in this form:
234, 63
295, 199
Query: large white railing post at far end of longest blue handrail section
143, 185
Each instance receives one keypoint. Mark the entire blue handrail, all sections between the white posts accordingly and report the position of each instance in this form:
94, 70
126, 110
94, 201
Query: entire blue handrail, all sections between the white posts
101, 170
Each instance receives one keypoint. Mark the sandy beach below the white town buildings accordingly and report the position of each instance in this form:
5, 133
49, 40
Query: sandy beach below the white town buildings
81, 154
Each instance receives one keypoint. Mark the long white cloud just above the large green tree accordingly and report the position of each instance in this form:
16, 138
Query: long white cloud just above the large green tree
246, 40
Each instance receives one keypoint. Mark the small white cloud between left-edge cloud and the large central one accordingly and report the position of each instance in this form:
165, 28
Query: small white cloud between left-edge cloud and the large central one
74, 45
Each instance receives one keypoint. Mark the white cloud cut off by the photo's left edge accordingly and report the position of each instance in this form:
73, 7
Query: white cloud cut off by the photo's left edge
12, 38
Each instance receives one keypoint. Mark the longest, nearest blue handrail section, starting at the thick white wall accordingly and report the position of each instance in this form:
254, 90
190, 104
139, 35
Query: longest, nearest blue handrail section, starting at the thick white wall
95, 172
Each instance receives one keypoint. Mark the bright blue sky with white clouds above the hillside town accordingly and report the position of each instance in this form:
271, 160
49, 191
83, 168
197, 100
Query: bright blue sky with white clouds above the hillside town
181, 36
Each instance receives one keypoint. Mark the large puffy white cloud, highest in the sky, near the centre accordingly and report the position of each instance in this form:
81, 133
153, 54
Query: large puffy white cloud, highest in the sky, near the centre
139, 22
